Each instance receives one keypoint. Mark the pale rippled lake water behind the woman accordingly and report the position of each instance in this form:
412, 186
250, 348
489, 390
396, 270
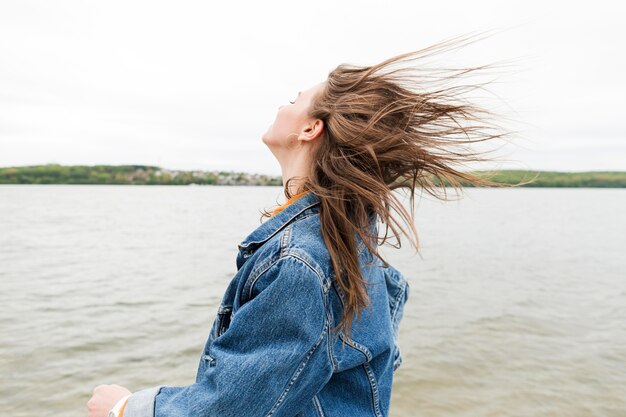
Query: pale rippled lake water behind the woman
517, 308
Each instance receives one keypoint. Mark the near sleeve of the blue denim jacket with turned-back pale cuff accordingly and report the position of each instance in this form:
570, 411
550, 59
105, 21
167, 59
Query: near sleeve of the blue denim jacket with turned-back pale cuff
271, 361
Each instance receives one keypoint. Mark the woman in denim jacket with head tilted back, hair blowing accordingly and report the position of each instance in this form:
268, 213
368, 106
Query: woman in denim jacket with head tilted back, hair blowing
308, 325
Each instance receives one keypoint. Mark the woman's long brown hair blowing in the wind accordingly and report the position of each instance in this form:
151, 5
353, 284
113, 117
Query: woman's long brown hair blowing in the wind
385, 129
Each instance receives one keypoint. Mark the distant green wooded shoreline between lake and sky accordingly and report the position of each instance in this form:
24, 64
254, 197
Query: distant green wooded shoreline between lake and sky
154, 175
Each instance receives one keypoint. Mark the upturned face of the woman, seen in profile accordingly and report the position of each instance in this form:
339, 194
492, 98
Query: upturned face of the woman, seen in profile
292, 118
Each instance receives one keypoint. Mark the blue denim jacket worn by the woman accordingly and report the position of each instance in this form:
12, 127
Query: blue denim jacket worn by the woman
271, 351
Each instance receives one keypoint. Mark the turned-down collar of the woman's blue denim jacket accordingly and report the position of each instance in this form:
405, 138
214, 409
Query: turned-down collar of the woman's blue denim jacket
278, 221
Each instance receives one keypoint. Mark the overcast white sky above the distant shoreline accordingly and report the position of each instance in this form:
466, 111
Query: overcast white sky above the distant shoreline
194, 85
